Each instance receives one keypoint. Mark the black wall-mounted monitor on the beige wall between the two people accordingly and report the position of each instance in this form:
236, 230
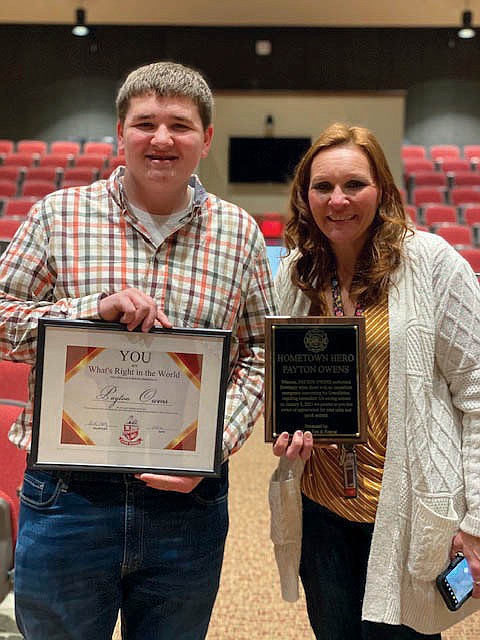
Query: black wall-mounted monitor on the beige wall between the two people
255, 159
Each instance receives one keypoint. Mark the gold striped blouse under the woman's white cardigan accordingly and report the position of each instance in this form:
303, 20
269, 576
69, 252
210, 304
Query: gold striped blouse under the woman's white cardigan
322, 480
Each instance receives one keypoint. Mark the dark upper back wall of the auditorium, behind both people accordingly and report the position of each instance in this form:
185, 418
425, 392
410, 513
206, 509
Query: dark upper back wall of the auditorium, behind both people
54, 85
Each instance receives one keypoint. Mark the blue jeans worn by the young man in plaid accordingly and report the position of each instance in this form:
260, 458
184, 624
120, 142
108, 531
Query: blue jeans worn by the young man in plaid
91, 544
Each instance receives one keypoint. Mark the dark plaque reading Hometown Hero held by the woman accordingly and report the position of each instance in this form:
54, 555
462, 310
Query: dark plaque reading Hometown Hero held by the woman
315, 378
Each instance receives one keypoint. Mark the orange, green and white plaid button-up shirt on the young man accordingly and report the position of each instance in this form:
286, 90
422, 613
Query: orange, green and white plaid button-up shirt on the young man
81, 243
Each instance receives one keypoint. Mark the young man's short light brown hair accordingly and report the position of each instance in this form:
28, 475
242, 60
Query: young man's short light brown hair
167, 79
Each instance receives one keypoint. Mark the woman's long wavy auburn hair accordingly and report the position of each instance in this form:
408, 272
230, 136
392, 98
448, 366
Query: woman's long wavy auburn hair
381, 255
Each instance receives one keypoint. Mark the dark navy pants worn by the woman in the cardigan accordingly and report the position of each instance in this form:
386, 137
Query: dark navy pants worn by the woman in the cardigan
333, 570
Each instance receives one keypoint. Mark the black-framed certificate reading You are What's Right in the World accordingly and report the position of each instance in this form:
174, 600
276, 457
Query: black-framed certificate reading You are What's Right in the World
107, 399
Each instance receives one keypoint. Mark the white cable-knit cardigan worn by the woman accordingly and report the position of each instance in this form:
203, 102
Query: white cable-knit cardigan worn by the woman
431, 480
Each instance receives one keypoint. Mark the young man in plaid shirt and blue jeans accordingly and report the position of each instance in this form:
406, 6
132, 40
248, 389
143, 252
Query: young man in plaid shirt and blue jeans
147, 247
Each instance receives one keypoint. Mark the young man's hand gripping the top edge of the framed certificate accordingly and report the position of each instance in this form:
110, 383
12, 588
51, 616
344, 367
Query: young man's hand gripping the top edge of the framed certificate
133, 308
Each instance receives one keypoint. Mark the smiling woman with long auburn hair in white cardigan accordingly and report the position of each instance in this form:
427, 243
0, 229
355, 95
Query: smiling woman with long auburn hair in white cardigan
351, 251
